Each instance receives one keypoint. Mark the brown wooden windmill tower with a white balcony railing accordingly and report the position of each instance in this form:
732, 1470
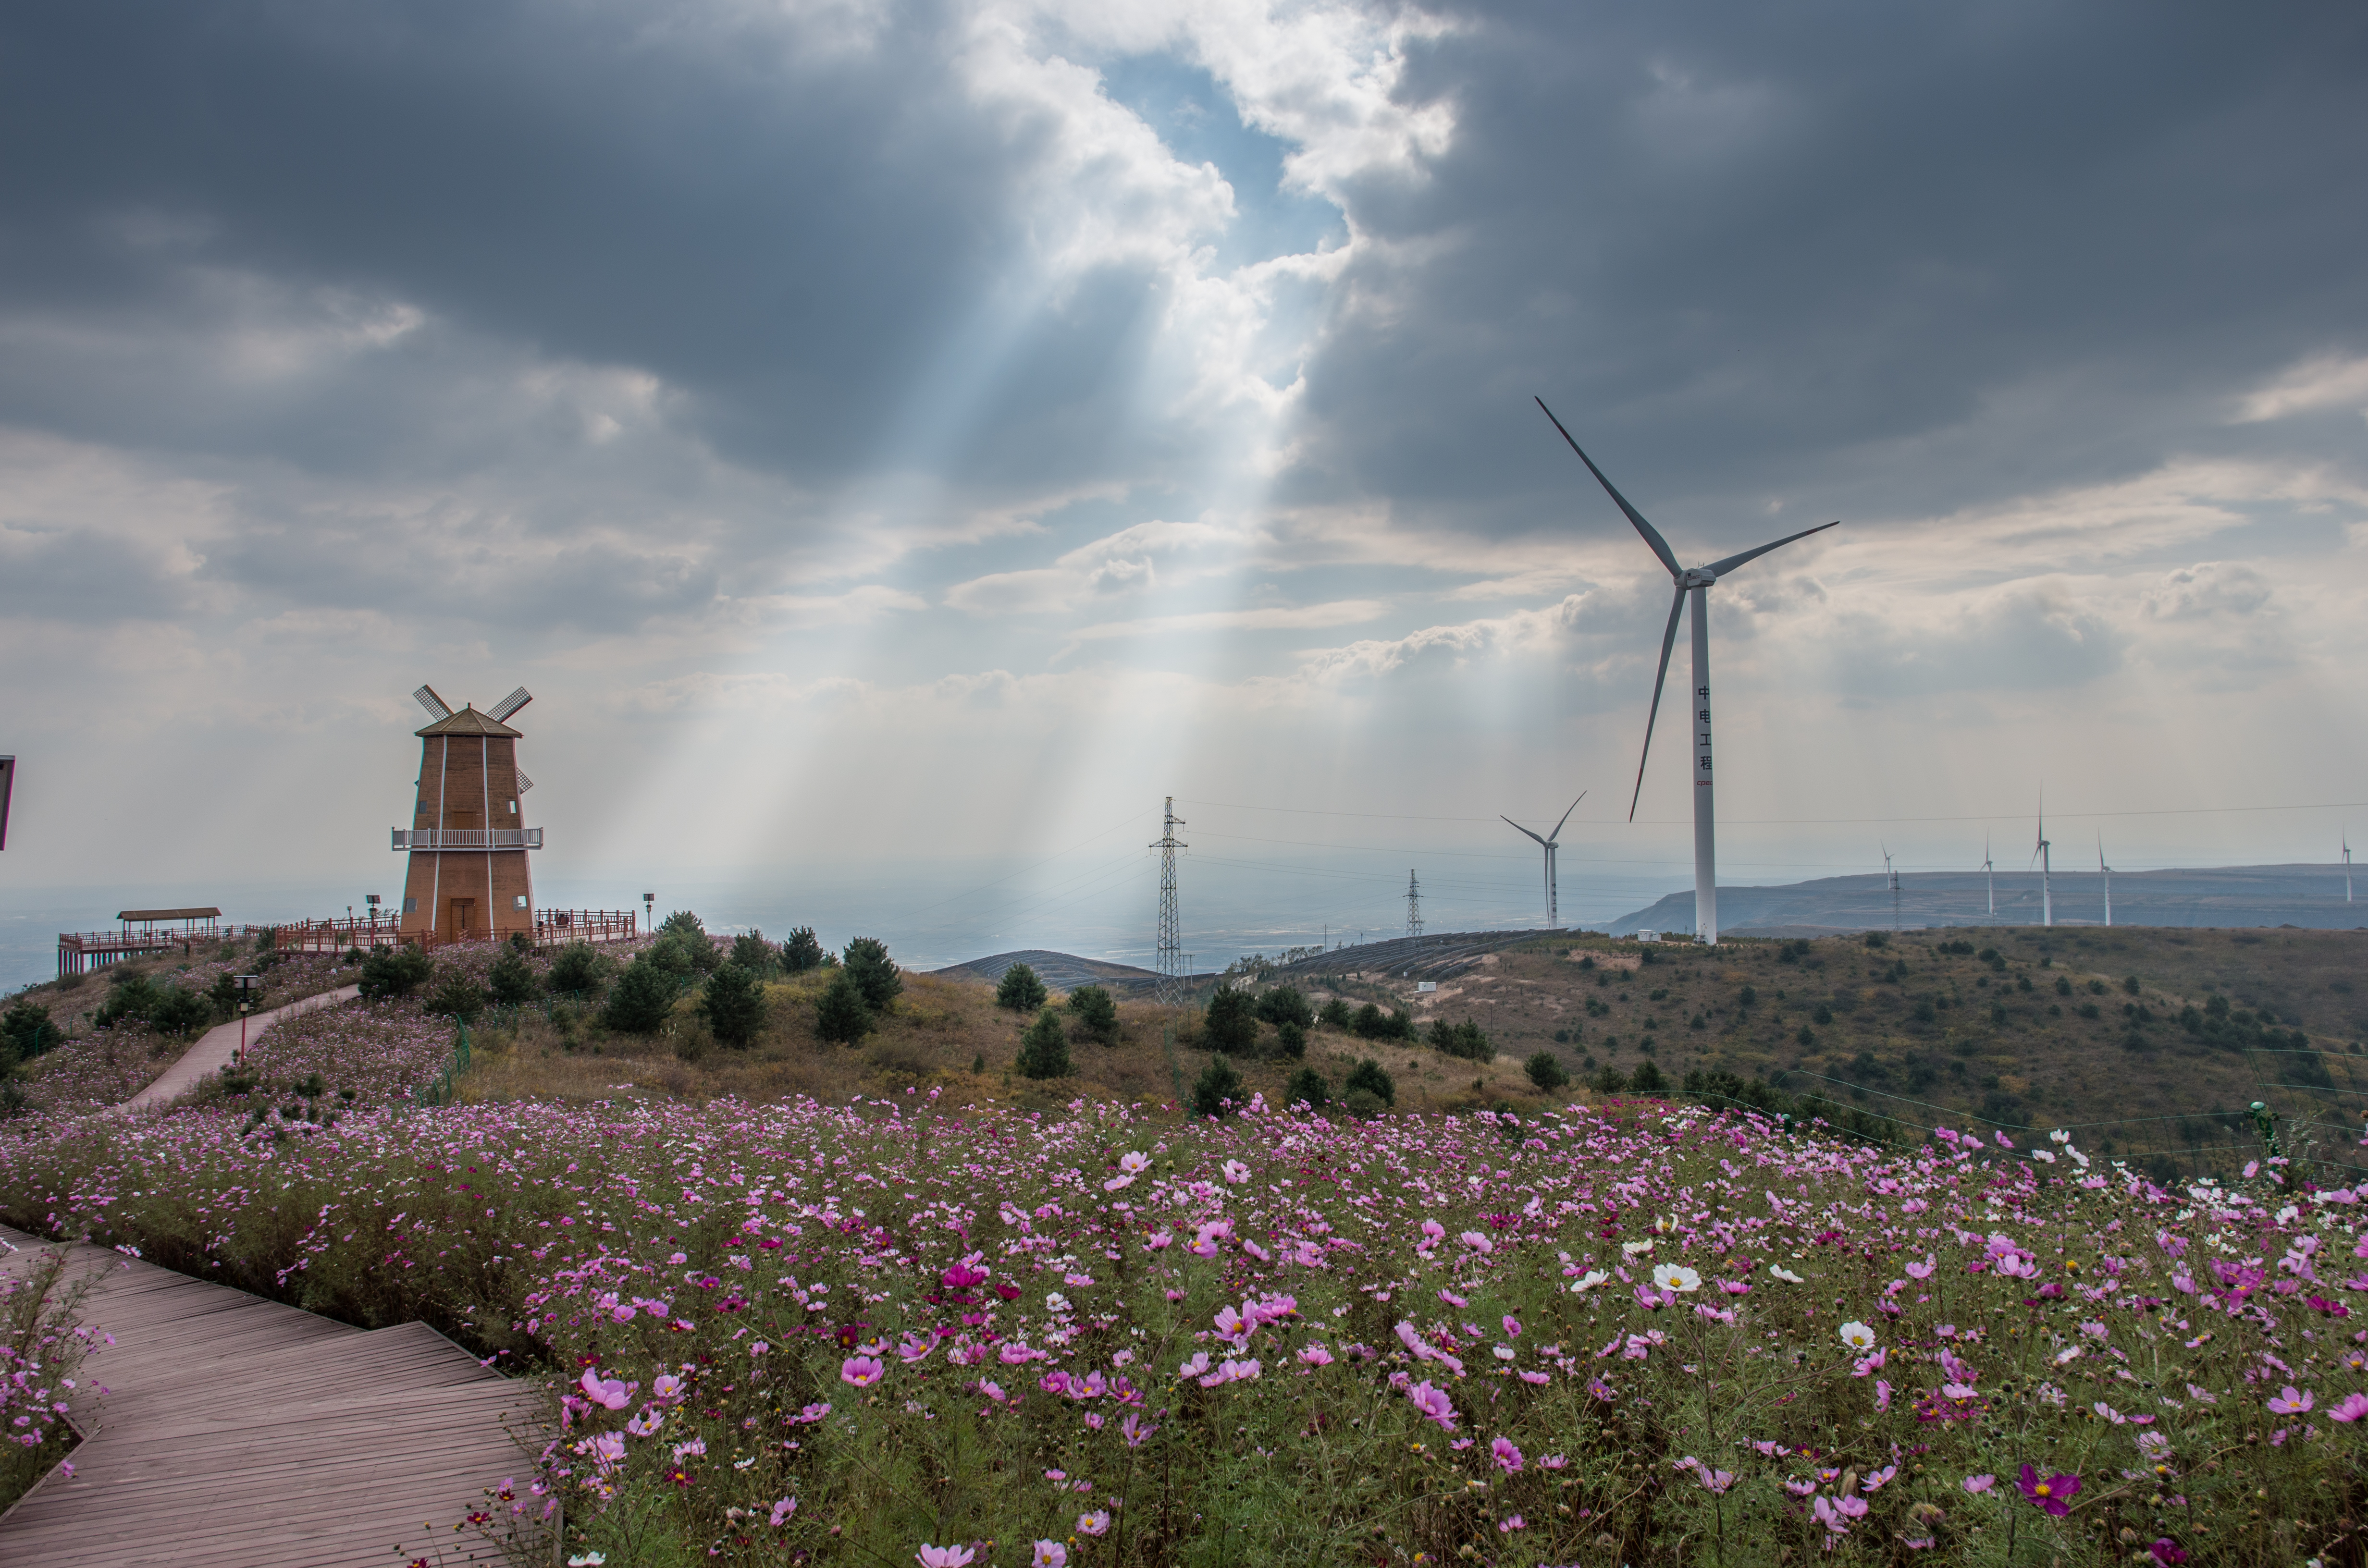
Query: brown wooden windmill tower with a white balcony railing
468, 842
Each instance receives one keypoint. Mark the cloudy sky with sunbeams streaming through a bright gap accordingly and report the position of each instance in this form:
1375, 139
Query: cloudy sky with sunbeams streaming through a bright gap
901, 444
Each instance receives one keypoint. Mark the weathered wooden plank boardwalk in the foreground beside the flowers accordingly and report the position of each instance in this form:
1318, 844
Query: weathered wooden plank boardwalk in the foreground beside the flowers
247, 1434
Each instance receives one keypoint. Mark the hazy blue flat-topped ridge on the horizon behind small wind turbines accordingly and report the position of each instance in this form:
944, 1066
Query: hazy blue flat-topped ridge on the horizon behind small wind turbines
2308, 897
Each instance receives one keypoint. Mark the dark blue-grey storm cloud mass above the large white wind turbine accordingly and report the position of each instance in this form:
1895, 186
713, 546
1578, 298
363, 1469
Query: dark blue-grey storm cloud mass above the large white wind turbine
1860, 257
